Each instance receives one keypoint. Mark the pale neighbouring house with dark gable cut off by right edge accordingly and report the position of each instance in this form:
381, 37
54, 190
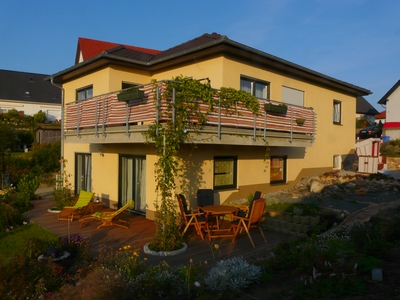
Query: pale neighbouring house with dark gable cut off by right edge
391, 100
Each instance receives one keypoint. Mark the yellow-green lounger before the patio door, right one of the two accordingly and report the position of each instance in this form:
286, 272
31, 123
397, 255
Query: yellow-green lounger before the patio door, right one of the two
109, 218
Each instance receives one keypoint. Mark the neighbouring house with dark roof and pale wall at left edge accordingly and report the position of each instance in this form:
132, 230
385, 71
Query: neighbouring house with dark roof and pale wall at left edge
29, 93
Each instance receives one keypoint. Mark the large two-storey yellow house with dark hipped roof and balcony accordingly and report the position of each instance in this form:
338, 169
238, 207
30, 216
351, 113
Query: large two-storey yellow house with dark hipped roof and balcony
235, 155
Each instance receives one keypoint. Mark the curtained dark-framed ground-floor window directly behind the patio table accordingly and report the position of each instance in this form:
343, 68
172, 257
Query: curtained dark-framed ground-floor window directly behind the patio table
225, 172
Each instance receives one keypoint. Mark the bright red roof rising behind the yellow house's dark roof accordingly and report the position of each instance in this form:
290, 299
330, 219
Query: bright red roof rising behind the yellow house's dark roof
90, 48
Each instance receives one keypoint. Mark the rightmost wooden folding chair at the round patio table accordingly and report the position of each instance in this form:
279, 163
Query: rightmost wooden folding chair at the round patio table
253, 220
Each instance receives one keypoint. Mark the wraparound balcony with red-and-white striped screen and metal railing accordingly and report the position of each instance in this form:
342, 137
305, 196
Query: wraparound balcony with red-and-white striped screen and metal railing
104, 119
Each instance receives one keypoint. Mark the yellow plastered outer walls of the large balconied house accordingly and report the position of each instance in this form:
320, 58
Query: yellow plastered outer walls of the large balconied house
253, 169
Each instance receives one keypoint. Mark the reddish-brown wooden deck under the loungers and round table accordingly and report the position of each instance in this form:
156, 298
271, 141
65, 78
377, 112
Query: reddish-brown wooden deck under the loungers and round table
142, 230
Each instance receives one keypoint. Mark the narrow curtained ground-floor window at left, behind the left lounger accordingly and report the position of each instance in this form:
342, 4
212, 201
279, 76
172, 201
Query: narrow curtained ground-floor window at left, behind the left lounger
83, 172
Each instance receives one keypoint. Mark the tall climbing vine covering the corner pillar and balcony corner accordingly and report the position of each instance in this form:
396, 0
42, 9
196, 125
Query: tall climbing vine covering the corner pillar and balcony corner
168, 138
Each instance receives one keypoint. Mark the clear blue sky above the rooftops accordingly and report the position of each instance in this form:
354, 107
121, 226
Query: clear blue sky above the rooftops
357, 41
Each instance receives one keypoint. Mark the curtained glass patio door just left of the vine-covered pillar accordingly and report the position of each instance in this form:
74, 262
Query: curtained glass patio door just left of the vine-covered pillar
132, 181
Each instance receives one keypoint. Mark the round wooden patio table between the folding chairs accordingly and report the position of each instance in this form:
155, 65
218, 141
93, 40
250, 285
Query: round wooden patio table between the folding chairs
217, 211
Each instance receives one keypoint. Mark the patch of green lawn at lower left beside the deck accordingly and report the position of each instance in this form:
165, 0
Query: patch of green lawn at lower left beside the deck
13, 243
